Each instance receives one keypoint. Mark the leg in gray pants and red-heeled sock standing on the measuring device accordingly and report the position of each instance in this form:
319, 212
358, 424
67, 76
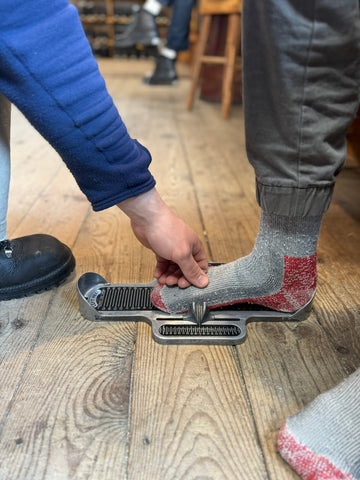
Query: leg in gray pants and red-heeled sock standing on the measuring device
301, 71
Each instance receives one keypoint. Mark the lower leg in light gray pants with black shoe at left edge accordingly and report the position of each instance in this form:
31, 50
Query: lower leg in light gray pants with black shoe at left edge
32, 263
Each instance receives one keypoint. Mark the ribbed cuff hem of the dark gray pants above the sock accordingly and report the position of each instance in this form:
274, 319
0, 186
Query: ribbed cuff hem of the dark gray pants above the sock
294, 202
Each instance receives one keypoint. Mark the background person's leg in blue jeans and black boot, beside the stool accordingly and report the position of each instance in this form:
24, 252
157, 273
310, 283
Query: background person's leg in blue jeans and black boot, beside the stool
177, 40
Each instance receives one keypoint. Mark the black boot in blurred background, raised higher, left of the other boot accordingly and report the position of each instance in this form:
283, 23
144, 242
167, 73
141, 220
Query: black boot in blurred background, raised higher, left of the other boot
142, 31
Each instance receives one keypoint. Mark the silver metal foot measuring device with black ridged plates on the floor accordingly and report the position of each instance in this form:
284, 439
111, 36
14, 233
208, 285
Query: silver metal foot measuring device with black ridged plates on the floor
103, 301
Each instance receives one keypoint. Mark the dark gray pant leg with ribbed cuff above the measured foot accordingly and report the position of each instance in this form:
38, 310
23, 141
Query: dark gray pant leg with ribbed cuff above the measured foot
301, 92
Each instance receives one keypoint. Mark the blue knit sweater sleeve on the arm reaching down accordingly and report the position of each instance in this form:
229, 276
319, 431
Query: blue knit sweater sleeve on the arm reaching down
48, 71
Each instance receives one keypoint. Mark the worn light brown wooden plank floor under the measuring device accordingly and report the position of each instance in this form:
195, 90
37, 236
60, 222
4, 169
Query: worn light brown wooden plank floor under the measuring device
83, 400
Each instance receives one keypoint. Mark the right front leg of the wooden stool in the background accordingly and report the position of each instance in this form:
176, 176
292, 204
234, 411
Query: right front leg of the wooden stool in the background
231, 52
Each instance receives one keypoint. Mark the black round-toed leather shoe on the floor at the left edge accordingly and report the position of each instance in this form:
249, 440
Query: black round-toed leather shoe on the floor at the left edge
33, 264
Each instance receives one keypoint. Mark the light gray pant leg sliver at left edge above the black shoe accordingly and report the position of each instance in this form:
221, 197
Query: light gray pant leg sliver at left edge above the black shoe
4, 162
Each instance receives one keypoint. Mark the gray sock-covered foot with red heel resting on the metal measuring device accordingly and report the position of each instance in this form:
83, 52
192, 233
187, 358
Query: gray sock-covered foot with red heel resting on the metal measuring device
280, 272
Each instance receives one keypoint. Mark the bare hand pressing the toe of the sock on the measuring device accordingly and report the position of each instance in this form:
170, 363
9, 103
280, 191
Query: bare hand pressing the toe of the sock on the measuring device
181, 257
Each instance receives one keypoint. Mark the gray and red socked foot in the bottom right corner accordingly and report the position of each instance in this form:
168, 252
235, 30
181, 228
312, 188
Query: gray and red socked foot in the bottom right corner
323, 440
